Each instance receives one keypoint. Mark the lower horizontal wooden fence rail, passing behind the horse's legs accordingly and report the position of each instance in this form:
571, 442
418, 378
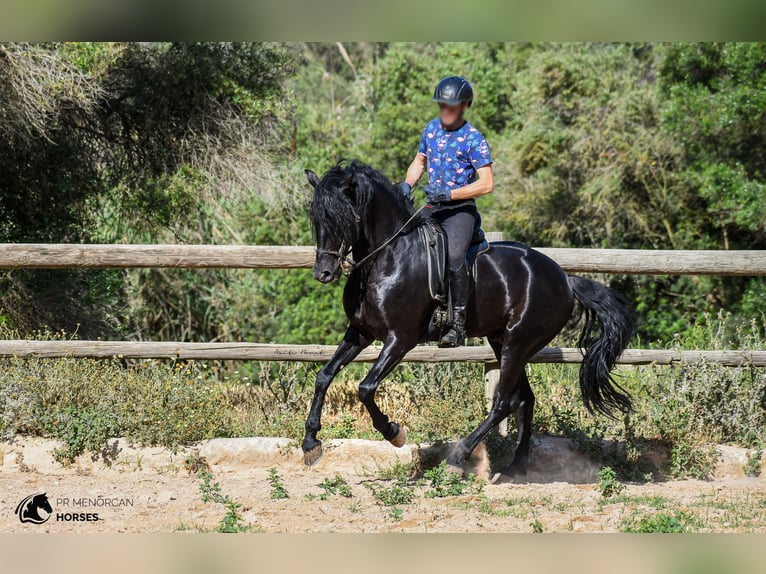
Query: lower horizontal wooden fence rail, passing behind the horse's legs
318, 353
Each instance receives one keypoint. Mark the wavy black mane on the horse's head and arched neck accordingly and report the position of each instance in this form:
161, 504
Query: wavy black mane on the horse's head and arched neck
343, 196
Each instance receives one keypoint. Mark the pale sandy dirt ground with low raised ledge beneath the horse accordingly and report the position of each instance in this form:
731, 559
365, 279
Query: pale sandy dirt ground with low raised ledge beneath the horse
154, 490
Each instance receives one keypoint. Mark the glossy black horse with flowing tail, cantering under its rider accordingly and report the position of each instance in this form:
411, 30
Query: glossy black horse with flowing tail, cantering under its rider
520, 300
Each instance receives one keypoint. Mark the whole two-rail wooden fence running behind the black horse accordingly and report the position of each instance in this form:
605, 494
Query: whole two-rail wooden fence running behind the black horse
627, 261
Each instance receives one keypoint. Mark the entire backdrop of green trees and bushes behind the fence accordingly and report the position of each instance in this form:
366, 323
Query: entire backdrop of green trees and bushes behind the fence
605, 145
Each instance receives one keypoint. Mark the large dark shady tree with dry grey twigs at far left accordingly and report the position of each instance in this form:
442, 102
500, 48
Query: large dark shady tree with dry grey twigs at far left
111, 141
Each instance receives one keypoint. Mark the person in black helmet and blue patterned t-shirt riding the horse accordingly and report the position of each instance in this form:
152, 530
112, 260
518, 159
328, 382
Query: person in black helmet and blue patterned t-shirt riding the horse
459, 166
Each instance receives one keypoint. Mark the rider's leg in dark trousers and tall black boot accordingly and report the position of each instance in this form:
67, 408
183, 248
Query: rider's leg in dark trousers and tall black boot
458, 226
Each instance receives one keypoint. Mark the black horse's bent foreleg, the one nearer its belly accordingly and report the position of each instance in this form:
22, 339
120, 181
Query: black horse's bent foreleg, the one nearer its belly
392, 353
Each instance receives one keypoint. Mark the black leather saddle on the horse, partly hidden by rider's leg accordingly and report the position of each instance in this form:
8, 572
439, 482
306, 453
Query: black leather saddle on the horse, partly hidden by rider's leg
435, 241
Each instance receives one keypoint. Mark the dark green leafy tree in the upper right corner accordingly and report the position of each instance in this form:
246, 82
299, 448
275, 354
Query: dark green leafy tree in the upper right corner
715, 104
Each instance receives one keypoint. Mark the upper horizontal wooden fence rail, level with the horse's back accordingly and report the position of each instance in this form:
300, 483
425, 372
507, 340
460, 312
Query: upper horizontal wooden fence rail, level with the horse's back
631, 261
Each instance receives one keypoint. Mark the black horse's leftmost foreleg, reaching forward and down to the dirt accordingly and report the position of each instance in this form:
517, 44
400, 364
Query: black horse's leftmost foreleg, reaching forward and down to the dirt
352, 344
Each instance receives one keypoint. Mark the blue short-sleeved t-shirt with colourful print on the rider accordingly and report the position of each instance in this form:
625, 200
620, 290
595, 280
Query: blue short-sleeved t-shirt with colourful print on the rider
453, 156
